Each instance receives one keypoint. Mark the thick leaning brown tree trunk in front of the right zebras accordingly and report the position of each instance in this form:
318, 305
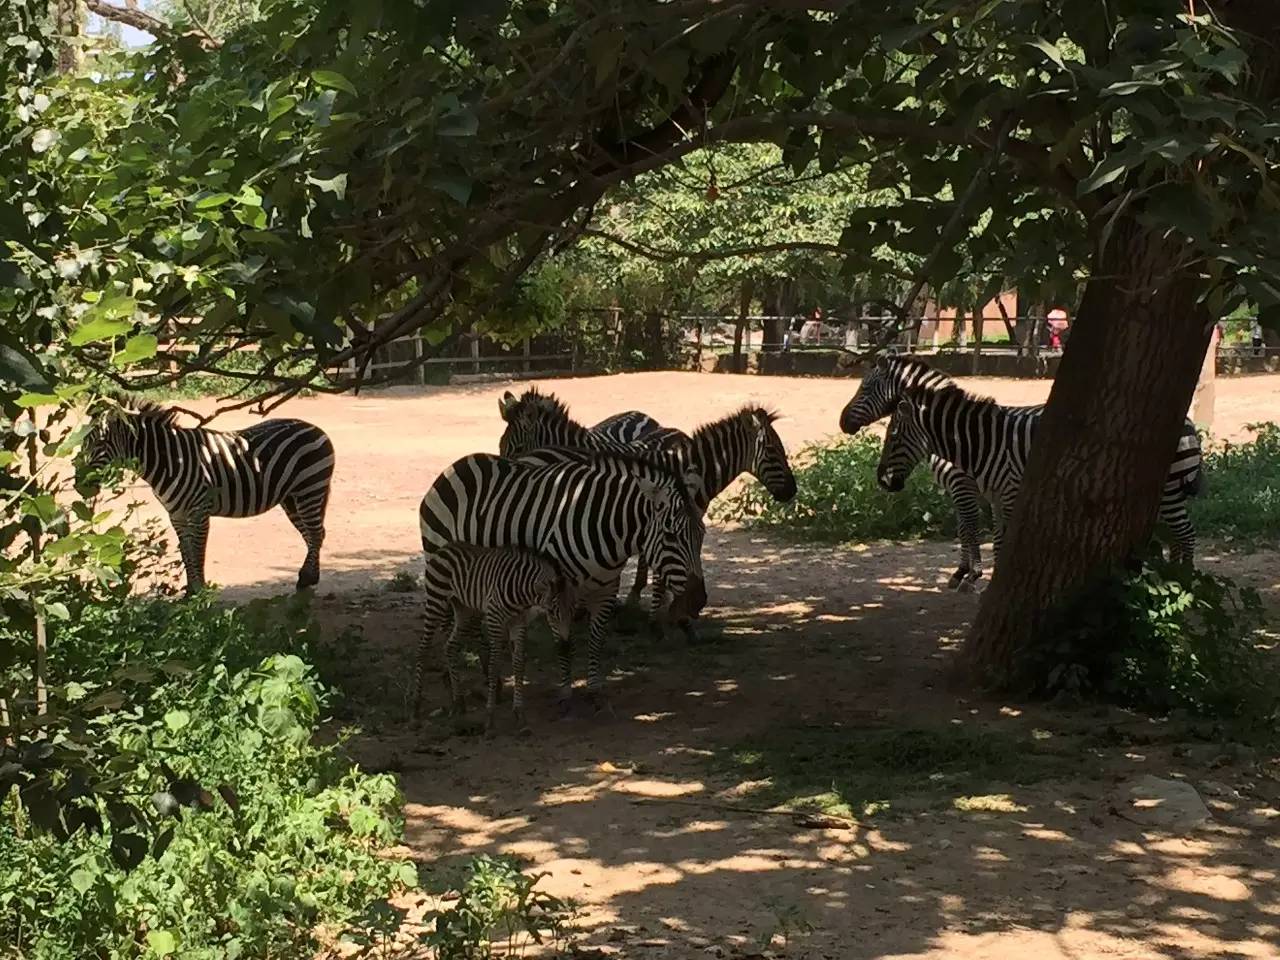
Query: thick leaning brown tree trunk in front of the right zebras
1104, 446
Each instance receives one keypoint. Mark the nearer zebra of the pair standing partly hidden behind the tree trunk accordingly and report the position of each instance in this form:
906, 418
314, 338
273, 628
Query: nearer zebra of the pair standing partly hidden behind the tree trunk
993, 444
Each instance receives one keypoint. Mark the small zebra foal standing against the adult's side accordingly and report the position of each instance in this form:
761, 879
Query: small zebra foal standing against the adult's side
506, 588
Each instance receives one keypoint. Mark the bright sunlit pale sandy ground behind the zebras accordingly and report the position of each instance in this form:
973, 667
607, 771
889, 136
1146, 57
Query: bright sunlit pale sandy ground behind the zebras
391, 446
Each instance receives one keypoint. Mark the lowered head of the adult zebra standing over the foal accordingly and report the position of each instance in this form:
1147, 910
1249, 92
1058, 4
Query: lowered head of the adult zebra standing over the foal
673, 541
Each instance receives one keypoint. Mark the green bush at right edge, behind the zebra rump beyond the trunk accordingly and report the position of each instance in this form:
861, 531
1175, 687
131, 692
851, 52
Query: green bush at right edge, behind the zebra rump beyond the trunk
1242, 488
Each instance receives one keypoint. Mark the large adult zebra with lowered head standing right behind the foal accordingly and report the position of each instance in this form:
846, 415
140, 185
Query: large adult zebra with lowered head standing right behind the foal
588, 518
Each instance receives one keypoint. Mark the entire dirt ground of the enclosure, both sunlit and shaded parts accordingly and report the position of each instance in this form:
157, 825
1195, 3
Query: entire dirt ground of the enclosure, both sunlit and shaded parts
637, 813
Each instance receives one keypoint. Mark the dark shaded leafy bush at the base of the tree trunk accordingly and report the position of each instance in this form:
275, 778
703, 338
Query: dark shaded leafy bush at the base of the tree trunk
1160, 638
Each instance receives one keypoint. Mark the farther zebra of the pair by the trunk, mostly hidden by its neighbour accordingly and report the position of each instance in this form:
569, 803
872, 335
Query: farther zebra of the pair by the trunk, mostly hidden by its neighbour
877, 396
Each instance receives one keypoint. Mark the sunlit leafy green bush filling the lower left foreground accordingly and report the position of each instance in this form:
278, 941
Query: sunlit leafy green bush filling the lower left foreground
286, 838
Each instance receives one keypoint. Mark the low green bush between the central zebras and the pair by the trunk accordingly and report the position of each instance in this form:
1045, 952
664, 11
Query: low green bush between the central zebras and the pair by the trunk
839, 499
